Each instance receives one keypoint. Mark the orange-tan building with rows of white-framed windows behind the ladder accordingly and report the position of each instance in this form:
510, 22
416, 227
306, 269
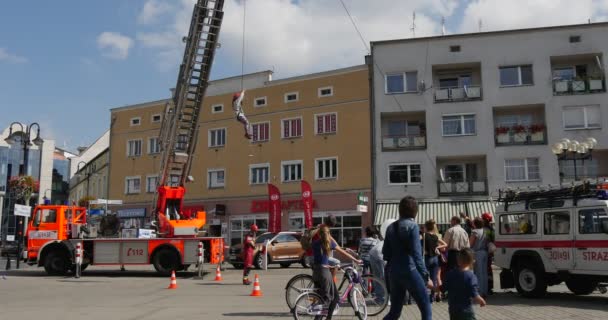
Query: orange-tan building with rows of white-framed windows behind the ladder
313, 127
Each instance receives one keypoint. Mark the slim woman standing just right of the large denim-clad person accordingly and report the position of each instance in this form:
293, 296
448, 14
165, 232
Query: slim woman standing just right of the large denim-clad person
432, 244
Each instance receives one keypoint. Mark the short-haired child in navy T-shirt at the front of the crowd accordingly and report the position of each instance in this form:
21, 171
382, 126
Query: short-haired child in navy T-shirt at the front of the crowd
462, 285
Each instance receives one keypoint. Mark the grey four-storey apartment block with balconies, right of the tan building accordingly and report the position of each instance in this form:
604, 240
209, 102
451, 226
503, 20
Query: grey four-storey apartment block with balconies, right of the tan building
458, 117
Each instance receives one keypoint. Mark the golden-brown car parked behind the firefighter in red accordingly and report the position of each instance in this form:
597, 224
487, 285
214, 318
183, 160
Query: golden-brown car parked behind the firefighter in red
284, 249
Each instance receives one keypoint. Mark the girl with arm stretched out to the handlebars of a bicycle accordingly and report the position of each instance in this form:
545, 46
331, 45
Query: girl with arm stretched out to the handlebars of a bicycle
321, 274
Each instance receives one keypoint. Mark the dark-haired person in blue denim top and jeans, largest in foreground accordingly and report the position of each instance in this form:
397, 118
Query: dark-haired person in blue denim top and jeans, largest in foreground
403, 252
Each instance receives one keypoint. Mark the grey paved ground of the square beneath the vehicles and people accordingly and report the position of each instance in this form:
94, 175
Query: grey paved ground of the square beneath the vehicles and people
139, 293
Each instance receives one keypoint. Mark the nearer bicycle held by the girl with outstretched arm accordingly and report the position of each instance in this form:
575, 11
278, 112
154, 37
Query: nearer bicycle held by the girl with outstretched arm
307, 304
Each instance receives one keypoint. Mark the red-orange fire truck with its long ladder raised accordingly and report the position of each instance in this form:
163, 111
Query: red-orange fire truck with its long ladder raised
54, 231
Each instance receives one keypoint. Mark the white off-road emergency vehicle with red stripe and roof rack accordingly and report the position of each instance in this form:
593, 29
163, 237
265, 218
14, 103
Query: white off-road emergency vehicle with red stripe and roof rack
546, 237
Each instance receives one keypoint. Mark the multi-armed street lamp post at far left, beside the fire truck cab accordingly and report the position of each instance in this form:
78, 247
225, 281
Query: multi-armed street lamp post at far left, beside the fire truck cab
25, 135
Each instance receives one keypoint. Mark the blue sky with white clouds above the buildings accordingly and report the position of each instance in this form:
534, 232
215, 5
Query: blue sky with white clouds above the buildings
65, 63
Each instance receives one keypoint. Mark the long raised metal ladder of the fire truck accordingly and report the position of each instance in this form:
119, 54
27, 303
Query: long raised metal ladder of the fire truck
179, 130
